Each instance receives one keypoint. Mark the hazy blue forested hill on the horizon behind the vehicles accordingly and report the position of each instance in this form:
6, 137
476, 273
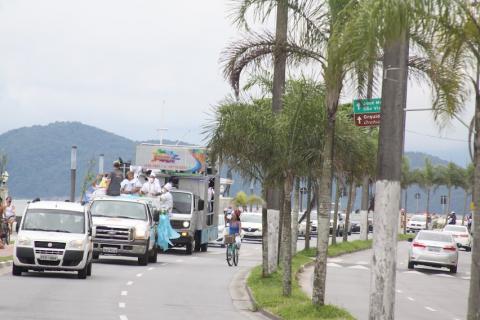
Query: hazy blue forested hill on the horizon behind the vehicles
39, 161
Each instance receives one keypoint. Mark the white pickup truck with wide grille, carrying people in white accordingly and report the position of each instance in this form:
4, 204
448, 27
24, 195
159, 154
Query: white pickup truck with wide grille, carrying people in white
124, 226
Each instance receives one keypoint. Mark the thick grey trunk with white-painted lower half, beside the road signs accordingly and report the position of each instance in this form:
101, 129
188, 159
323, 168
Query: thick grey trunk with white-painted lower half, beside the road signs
387, 191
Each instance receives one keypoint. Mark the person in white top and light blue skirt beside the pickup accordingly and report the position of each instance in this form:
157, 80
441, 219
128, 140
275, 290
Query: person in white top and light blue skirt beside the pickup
164, 228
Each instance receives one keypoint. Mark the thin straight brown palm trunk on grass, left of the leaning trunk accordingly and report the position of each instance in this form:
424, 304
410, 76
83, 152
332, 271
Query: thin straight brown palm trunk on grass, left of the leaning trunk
287, 234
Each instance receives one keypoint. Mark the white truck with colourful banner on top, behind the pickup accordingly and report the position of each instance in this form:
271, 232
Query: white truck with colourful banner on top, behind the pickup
196, 191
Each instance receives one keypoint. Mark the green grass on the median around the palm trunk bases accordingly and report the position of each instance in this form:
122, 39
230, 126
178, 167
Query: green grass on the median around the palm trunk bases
268, 295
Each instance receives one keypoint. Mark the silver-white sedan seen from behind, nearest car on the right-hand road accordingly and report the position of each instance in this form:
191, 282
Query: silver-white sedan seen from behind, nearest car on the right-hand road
433, 249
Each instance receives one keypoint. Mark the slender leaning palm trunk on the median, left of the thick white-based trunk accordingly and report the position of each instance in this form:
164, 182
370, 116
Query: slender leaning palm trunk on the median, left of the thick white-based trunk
324, 198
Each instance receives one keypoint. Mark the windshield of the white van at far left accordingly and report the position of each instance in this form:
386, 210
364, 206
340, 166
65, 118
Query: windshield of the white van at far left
54, 221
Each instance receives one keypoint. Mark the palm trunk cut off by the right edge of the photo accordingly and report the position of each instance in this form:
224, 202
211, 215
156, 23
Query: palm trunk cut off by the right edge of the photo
474, 295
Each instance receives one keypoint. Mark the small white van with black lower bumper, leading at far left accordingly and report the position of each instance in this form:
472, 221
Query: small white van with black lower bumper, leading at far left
54, 236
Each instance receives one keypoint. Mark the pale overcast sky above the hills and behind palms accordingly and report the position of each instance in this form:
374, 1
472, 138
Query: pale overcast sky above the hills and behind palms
132, 67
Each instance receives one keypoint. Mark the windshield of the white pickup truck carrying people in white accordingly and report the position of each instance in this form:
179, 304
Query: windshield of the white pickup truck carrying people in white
119, 209
